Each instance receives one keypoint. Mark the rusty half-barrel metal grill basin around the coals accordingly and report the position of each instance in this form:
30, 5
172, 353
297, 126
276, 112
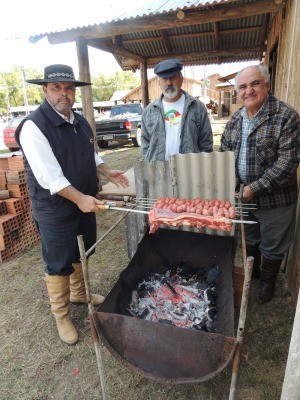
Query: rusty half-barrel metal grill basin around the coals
163, 352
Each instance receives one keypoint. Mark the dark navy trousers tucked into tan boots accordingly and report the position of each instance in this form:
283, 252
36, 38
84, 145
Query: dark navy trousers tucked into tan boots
59, 242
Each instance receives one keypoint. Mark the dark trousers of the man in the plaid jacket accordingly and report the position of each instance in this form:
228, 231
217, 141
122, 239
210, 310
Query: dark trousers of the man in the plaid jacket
274, 232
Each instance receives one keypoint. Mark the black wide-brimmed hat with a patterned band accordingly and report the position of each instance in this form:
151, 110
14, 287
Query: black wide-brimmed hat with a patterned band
58, 73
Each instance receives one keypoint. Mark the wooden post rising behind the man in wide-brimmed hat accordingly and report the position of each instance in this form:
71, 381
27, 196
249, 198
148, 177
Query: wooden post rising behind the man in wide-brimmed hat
86, 91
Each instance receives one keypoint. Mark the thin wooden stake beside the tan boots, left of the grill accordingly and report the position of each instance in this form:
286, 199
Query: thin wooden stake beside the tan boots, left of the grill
95, 338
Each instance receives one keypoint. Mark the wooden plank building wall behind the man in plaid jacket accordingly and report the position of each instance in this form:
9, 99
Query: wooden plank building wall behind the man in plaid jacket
285, 34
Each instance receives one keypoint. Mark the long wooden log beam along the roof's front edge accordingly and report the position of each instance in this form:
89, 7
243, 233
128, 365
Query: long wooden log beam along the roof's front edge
165, 21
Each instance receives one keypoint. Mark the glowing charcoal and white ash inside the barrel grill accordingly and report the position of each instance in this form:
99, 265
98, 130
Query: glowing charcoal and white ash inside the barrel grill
175, 299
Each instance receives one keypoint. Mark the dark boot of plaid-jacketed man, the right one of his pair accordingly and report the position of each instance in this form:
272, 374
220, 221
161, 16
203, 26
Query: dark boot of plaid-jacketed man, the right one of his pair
269, 272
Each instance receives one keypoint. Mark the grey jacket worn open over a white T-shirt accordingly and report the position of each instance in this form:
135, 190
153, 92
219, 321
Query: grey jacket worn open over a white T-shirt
196, 133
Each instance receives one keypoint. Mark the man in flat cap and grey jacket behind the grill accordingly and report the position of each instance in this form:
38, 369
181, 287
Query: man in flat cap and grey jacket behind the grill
175, 122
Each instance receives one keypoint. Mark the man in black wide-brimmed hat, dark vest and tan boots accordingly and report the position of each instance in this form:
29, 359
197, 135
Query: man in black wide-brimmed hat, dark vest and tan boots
62, 168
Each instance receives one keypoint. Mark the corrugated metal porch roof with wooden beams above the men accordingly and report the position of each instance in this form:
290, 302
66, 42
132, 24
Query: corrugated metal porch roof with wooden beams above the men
154, 31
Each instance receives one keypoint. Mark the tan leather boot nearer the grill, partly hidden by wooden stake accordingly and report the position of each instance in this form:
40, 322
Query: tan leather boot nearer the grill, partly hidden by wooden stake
77, 288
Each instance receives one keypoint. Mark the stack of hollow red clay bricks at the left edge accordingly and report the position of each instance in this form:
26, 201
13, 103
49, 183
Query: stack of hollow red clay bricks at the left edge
17, 228
